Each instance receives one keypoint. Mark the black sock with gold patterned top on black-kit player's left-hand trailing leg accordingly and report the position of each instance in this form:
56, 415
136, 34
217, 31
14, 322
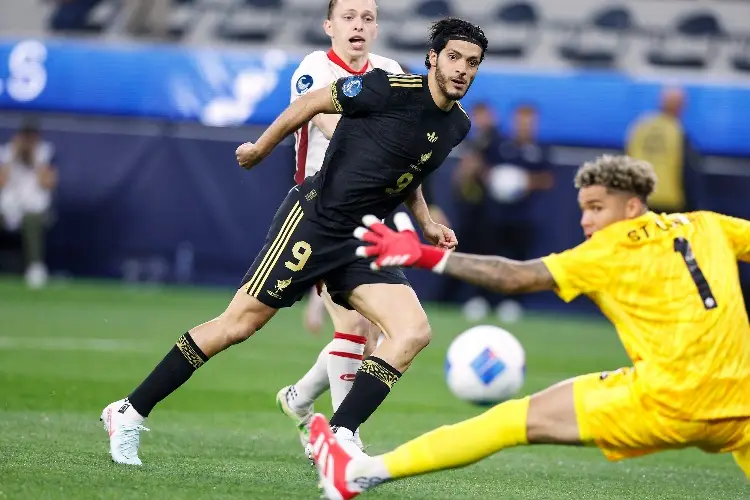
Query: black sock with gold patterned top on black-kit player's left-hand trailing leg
171, 372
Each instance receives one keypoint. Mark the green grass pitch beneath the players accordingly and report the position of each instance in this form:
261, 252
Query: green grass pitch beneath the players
69, 350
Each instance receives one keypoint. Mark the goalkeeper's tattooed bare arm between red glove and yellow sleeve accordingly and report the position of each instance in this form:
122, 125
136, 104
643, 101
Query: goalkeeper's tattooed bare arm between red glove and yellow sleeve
500, 274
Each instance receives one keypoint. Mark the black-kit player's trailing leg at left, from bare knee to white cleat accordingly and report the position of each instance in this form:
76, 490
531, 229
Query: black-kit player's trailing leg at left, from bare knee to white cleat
123, 419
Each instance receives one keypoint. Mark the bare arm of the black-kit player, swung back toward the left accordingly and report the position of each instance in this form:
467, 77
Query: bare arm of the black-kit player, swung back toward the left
292, 118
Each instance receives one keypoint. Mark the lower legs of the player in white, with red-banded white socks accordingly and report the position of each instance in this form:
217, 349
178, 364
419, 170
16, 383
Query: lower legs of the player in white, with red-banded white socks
335, 367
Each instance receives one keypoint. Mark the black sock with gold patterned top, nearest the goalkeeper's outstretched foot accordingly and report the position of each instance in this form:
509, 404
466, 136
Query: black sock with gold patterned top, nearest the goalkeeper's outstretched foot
372, 383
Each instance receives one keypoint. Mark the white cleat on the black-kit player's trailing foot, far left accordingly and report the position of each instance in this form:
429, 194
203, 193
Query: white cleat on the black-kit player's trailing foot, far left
124, 426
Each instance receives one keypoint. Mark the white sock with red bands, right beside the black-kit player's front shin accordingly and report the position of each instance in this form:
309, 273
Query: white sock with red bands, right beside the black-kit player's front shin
344, 359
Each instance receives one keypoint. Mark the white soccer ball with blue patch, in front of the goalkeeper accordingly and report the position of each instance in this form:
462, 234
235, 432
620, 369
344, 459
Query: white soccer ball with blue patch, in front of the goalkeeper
485, 365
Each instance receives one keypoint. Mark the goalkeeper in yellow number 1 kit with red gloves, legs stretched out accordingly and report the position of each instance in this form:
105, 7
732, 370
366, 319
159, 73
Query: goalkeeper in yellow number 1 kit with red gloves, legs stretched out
669, 283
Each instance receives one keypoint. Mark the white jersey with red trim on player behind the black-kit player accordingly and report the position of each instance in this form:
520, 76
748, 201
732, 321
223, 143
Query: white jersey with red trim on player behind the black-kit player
319, 69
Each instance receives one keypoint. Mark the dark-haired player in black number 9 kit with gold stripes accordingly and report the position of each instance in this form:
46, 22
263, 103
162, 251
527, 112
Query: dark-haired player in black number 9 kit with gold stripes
394, 131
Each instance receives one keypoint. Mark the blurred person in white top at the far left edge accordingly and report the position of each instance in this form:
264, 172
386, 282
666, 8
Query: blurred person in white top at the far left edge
27, 180
